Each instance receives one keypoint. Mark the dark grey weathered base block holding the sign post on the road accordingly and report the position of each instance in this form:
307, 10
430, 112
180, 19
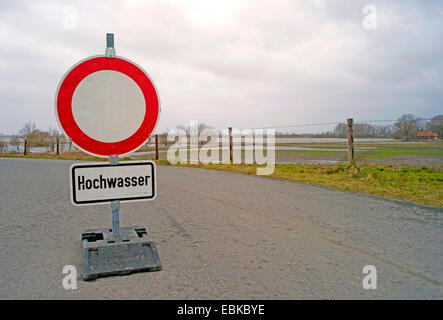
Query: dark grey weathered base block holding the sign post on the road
104, 254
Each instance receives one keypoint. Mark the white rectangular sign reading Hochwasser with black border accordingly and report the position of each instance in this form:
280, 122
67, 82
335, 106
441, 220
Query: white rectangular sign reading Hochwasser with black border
101, 182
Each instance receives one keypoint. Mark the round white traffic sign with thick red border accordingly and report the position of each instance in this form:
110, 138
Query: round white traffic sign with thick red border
107, 106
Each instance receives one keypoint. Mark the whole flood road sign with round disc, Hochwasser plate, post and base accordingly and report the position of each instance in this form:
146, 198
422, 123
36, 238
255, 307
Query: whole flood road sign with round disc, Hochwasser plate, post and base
109, 106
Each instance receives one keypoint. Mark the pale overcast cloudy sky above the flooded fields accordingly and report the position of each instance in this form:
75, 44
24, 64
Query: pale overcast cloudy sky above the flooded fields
231, 62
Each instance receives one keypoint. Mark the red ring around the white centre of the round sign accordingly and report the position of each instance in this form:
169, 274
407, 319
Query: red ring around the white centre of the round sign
81, 139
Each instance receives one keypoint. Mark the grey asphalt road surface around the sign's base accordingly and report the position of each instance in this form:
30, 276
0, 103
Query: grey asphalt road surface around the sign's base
220, 235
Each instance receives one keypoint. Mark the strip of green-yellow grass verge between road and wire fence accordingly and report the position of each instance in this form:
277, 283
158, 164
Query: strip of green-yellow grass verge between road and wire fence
422, 185
